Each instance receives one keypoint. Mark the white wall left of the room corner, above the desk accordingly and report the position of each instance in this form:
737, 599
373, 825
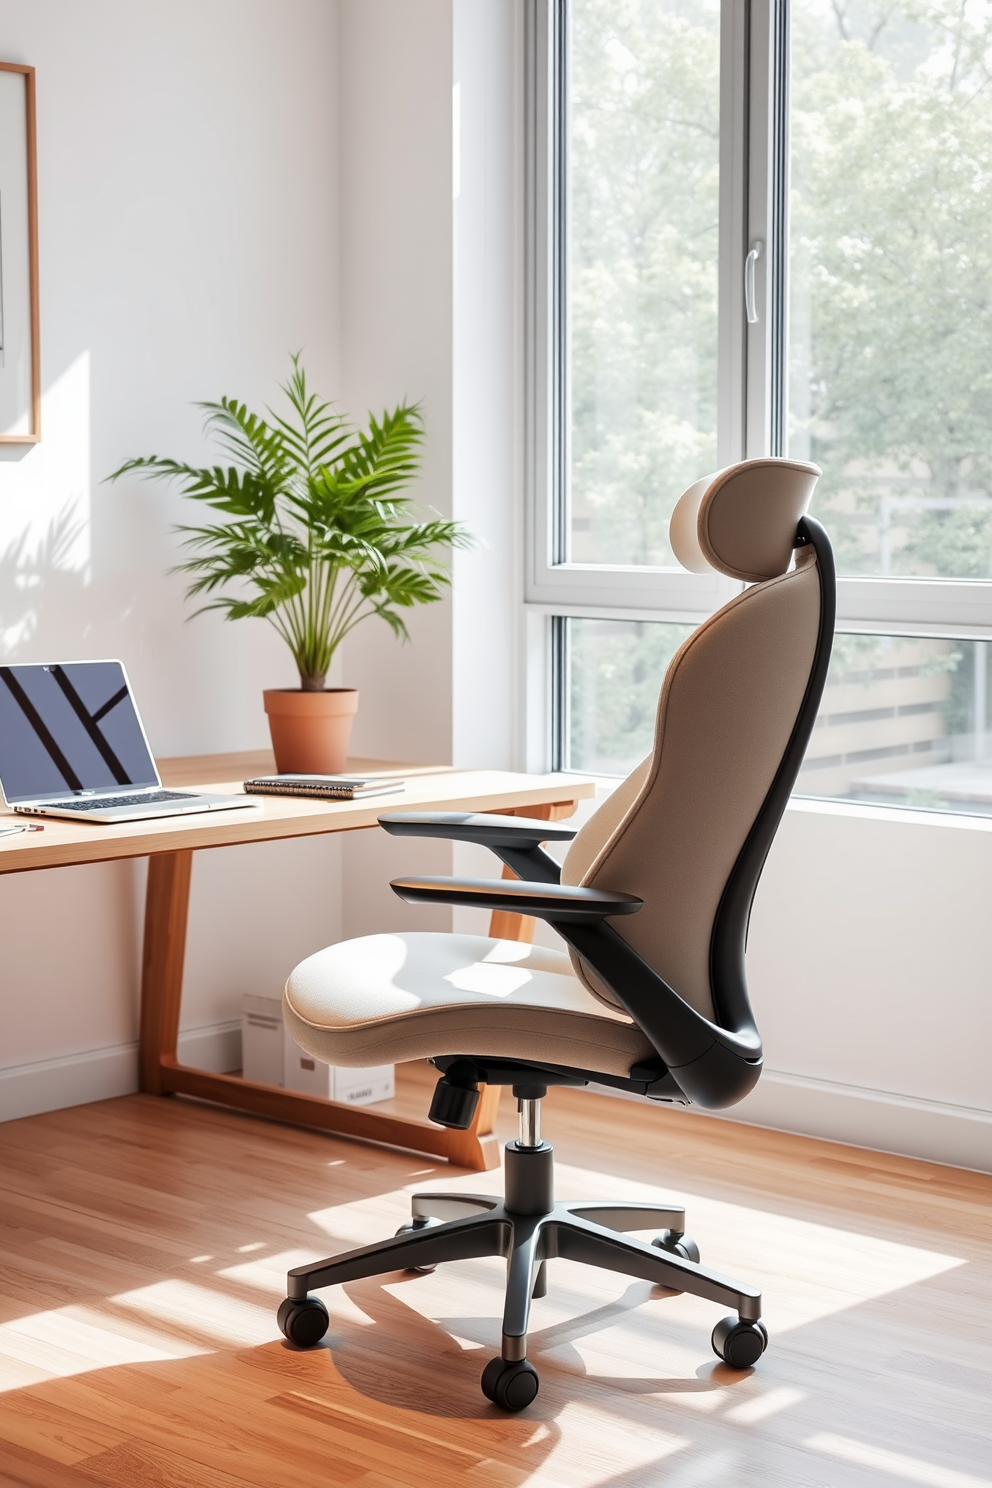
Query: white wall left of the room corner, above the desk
188, 242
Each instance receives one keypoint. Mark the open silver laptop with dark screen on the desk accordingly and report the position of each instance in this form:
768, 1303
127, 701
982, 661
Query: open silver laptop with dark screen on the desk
72, 746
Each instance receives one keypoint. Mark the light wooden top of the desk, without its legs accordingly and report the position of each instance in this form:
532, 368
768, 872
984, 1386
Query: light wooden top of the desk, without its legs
428, 788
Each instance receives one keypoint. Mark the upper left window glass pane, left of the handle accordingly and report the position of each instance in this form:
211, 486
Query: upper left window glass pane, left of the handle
643, 160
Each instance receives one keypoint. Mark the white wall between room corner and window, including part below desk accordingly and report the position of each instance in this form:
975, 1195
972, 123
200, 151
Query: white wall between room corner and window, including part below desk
431, 310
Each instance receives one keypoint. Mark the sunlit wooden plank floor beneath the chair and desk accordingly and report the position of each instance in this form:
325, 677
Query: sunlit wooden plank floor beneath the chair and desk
145, 1246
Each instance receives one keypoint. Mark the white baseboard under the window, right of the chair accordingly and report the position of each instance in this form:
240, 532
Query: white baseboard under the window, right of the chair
959, 1136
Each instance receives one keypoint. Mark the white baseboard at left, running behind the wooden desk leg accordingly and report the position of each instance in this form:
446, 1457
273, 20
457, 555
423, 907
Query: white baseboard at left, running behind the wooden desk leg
51, 1085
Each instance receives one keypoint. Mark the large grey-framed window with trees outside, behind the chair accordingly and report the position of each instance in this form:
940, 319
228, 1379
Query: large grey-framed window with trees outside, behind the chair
765, 228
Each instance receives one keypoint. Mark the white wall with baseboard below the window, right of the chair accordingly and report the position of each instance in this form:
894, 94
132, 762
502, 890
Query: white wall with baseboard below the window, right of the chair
872, 984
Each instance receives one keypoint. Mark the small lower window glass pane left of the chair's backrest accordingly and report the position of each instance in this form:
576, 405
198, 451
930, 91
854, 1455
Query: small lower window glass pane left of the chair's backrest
615, 678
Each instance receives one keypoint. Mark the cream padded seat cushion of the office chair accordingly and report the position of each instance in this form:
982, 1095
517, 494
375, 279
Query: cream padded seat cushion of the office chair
411, 996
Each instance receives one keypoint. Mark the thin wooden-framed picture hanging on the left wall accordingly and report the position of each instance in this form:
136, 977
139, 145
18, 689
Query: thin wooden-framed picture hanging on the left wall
20, 322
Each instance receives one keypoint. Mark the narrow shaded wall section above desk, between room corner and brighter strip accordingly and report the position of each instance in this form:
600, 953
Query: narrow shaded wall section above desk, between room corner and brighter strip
396, 316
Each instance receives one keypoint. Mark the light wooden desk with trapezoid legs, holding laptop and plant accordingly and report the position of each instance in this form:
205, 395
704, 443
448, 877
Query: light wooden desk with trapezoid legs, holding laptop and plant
170, 844
